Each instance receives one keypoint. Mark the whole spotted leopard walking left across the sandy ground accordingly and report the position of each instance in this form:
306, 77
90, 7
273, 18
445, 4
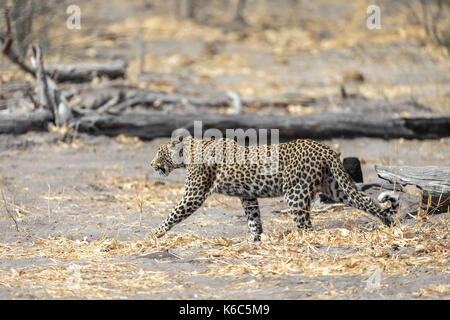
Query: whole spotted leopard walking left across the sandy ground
297, 170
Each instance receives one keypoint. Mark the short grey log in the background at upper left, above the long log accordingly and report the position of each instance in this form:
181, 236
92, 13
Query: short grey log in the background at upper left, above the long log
85, 72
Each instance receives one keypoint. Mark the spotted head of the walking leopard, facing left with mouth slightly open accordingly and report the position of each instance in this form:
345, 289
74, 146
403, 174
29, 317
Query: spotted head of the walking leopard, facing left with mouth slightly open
169, 156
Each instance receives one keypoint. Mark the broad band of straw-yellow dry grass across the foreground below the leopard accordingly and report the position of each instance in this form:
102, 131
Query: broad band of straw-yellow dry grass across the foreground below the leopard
278, 254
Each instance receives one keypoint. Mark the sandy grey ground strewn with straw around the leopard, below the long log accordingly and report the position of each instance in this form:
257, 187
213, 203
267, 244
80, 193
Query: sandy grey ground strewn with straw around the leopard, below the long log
83, 233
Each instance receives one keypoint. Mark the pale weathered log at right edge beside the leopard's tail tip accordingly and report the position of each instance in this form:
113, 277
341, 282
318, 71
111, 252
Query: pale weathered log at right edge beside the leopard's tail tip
433, 180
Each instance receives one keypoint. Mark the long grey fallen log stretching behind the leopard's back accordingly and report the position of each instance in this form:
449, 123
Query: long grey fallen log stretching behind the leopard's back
318, 126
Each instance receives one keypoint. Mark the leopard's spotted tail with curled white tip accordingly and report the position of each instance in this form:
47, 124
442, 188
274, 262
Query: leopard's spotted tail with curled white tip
359, 199
